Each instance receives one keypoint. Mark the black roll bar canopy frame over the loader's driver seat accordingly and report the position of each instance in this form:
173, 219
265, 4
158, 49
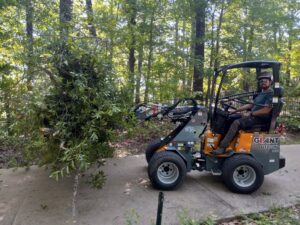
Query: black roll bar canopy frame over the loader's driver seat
258, 65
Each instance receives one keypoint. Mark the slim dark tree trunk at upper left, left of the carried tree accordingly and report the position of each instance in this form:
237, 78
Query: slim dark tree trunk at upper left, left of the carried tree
29, 35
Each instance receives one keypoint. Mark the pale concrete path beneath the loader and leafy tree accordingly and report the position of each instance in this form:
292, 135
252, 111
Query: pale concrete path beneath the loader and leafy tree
31, 198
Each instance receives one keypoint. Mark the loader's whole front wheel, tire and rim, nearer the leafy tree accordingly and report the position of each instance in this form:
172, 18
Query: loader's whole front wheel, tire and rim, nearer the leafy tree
166, 170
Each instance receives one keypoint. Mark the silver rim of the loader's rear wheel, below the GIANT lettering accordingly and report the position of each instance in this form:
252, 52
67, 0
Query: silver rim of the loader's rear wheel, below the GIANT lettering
244, 176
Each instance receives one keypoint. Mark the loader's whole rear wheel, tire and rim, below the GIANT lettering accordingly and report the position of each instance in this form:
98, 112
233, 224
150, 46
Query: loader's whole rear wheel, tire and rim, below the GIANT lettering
242, 174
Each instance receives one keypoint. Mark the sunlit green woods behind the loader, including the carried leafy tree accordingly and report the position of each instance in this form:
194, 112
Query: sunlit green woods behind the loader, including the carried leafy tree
76, 67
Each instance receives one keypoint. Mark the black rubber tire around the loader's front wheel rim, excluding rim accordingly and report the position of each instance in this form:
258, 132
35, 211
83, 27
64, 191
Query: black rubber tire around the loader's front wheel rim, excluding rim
160, 158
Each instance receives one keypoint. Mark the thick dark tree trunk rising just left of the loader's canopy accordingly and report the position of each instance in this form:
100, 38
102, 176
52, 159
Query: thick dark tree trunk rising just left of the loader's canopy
199, 47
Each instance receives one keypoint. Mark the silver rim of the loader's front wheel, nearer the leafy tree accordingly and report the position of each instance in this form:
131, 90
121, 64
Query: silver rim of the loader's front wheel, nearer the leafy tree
168, 172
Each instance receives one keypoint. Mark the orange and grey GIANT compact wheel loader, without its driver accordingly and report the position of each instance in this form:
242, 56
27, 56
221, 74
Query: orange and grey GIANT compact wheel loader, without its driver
251, 155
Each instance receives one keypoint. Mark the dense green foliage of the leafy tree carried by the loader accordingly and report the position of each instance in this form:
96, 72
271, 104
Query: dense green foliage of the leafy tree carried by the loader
81, 109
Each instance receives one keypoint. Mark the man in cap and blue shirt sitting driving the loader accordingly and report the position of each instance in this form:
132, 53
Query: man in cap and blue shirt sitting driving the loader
260, 112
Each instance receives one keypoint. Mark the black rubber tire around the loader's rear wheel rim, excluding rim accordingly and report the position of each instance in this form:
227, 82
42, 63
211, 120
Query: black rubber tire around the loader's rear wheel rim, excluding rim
232, 163
